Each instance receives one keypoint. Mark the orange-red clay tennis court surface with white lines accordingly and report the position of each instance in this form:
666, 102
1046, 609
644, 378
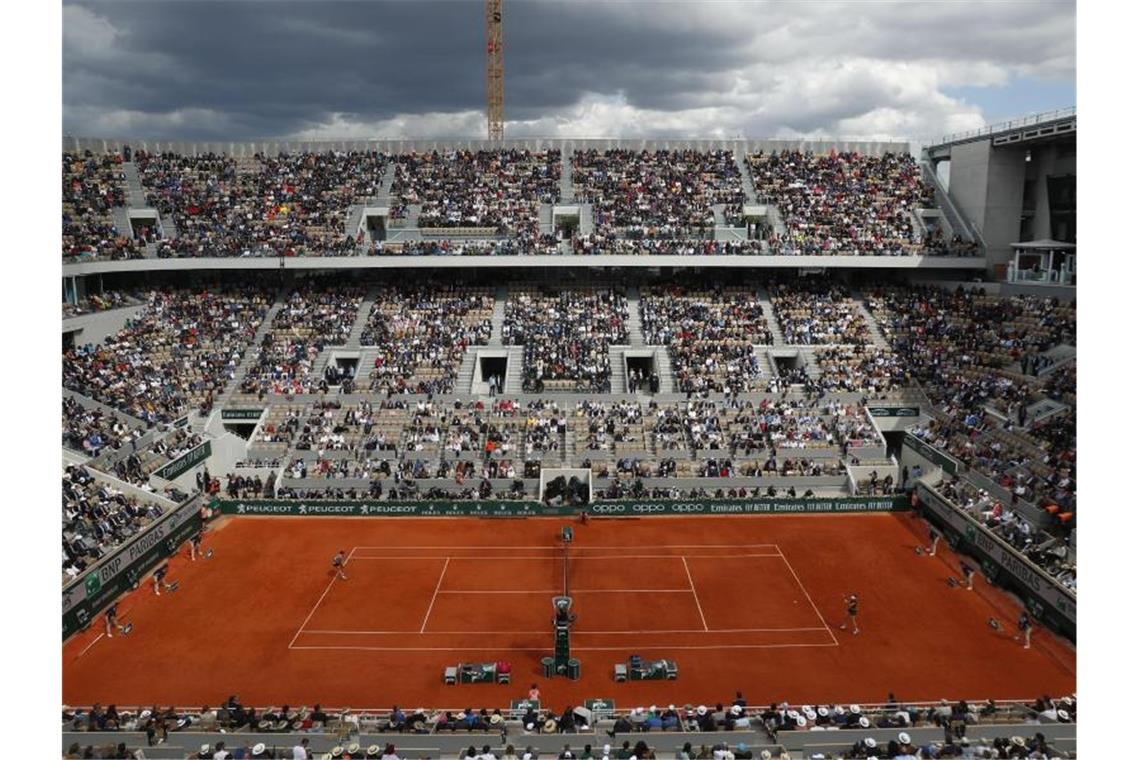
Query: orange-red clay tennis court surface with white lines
739, 603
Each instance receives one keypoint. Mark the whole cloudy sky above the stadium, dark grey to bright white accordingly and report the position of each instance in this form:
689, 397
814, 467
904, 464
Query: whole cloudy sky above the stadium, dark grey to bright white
368, 69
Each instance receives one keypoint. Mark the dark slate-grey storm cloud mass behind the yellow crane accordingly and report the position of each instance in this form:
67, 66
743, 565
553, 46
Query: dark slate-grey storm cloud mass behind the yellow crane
279, 68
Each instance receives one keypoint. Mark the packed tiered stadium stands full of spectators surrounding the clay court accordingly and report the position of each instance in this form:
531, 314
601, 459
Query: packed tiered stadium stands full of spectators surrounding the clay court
376, 385
